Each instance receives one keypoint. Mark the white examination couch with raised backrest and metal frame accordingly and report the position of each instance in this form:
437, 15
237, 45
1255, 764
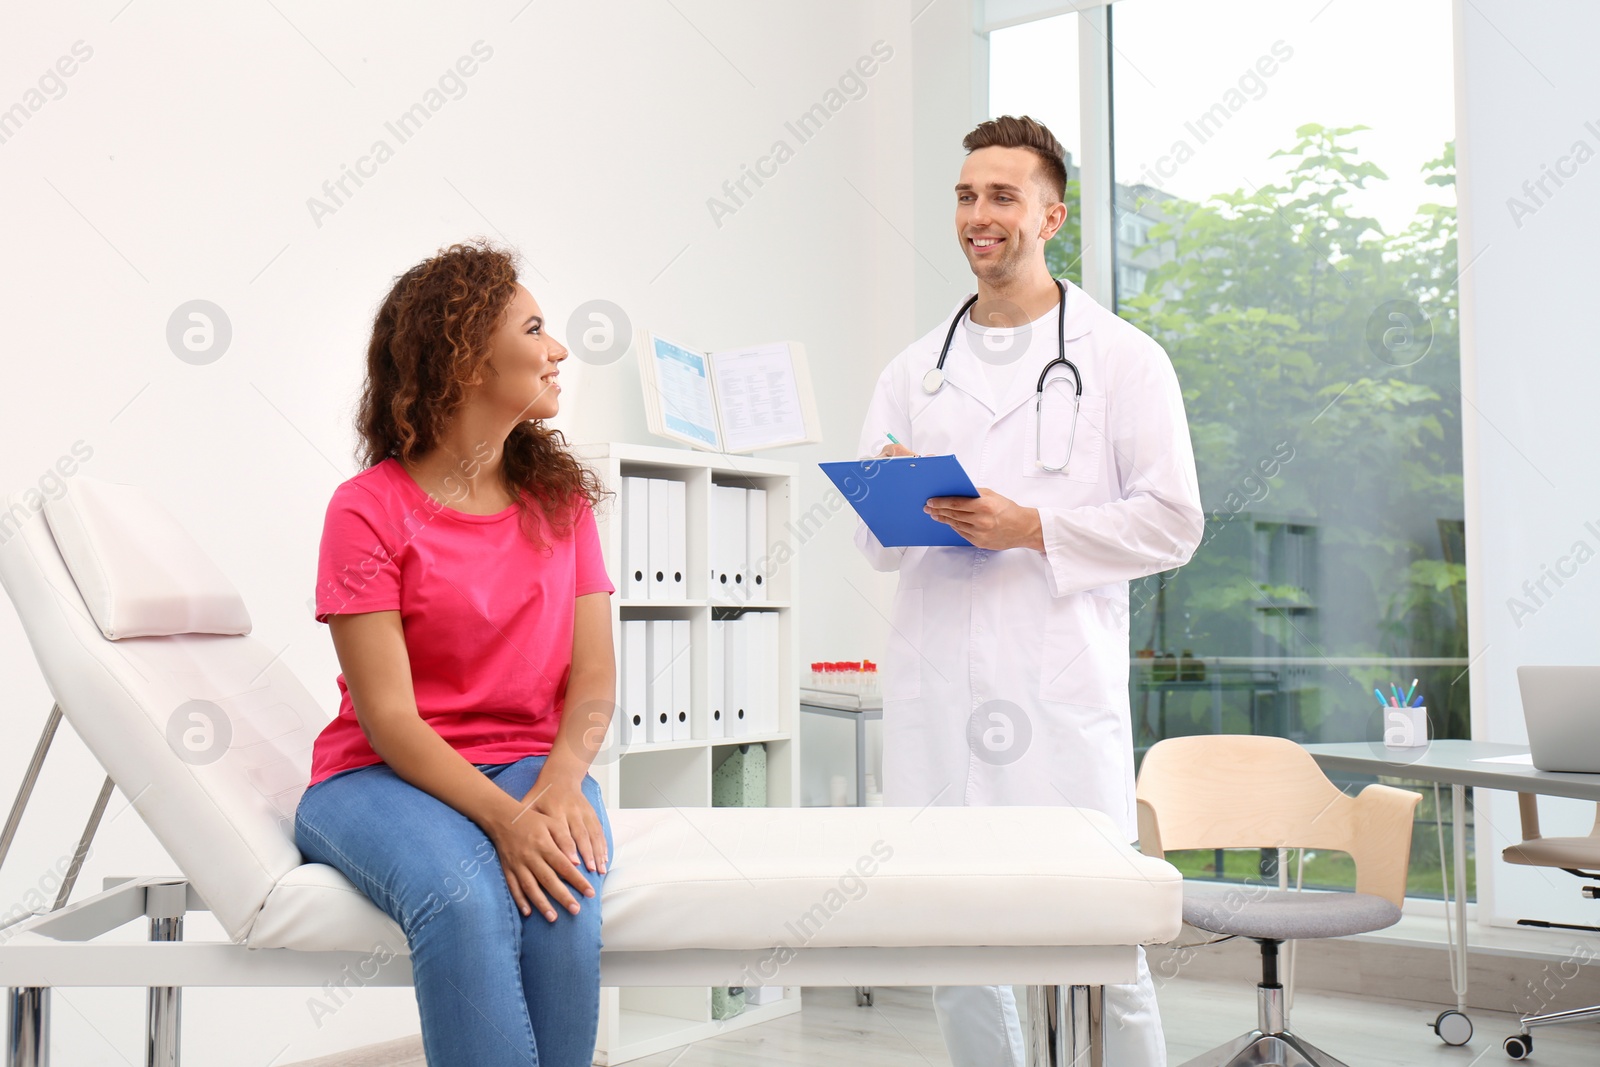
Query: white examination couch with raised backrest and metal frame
143, 642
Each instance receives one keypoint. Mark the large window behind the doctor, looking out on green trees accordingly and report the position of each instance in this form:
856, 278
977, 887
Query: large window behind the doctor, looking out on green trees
1284, 223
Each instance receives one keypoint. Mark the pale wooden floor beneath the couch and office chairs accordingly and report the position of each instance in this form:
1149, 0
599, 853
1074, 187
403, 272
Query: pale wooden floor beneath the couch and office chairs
900, 1031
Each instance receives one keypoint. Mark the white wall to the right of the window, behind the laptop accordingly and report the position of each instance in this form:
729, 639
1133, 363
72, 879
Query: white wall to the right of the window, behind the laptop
1529, 92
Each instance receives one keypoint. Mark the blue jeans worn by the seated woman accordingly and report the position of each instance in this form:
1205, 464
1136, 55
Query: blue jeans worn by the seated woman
492, 988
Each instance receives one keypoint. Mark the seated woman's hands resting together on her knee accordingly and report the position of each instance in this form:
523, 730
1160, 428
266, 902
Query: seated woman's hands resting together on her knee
542, 845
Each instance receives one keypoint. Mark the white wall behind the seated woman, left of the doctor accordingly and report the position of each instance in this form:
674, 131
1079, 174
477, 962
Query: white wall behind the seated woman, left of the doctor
177, 164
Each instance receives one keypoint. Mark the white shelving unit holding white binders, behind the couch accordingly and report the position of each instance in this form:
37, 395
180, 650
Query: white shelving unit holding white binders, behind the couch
638, 1023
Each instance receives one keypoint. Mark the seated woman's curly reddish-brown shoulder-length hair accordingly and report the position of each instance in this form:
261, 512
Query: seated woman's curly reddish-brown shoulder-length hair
431, 338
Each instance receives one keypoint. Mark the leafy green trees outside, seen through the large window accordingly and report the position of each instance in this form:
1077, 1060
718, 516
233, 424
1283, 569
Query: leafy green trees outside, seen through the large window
1302, 327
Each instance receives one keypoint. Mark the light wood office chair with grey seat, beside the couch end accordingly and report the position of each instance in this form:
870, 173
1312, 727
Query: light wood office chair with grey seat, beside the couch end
1239, 791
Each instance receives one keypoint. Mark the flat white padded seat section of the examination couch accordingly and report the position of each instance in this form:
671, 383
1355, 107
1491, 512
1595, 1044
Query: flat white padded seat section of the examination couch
822, 877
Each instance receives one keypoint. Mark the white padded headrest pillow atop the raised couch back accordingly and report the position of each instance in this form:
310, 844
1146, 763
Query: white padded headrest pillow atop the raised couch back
140, 573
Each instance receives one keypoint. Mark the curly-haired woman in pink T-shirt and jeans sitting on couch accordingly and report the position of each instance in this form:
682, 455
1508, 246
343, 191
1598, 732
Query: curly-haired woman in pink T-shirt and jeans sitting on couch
463, 585
